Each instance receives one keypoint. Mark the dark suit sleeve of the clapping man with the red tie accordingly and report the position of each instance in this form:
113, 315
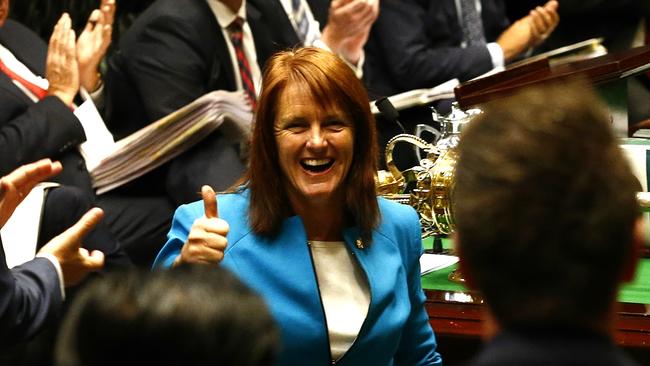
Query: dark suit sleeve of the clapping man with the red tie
44, 129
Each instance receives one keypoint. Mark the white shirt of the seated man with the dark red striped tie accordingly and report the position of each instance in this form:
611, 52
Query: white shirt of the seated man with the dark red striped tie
225, 17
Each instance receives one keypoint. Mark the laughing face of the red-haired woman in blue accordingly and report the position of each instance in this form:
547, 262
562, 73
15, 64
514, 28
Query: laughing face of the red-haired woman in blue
315, 146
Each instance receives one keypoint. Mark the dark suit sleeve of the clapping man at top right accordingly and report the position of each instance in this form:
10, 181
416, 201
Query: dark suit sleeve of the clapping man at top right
412, 58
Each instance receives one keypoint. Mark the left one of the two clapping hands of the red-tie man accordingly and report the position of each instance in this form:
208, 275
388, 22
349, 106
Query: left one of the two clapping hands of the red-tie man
61, 67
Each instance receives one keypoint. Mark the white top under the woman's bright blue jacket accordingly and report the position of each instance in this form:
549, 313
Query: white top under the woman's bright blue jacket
344, 292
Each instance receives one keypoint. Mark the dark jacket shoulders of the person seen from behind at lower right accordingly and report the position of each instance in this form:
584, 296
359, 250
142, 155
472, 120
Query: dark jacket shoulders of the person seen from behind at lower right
551, 347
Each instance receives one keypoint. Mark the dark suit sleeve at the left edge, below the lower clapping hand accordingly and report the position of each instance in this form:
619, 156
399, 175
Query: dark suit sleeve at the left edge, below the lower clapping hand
30, 297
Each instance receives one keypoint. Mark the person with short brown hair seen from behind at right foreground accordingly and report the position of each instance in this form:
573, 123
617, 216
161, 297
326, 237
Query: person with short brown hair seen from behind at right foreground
548, 227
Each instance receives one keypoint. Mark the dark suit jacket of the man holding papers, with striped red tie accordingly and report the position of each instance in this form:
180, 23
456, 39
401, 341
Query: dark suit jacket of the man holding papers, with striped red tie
173, 54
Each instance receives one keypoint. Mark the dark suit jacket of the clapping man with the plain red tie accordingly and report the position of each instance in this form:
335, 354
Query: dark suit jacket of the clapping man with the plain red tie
30, 131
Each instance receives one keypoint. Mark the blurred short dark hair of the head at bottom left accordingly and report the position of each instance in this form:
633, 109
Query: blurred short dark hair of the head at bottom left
190, 315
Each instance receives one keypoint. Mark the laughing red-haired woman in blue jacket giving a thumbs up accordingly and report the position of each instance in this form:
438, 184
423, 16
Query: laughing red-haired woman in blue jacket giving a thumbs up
338, 267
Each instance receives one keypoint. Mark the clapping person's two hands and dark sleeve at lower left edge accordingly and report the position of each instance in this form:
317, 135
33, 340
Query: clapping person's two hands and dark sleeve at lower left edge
31, 294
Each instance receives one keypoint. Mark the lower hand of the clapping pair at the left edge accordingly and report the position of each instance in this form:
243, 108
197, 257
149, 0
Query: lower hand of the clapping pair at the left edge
76, 262
